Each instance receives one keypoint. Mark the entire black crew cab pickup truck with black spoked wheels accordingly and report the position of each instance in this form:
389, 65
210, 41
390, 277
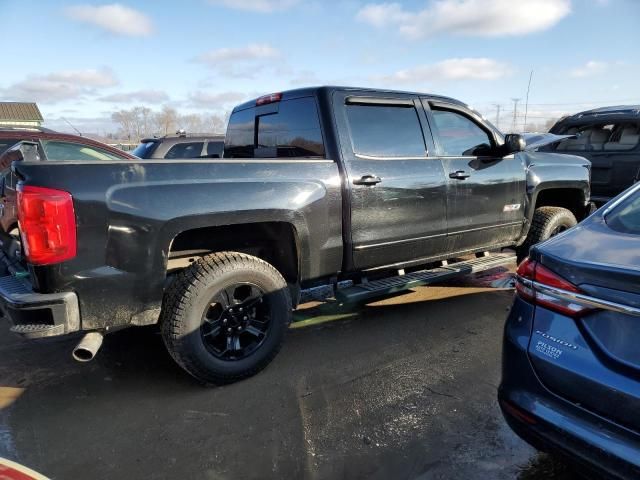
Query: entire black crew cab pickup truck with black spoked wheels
316, 186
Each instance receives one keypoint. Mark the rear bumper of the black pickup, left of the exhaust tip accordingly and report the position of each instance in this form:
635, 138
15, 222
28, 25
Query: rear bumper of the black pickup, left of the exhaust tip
37, 315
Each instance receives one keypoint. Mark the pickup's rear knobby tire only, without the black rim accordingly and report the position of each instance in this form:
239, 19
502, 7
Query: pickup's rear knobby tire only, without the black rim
188, 295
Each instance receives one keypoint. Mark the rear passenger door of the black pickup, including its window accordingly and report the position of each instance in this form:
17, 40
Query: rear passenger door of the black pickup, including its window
397, 191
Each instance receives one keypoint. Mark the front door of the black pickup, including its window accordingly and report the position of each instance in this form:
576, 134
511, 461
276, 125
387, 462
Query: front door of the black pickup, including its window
485, 191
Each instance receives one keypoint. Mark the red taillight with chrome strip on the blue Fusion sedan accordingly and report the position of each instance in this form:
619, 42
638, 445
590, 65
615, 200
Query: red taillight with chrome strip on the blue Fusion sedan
532, 278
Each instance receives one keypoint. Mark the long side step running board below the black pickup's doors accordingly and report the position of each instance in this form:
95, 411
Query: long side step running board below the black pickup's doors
389, 285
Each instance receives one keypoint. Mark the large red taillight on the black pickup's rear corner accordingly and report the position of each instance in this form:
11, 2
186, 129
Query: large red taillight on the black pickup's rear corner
47, 224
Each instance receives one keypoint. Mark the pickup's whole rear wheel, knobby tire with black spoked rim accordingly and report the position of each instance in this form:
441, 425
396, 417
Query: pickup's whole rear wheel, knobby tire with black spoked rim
224, 318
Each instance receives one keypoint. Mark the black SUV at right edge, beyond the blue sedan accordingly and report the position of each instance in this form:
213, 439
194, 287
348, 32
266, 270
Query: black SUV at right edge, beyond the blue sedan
610, 138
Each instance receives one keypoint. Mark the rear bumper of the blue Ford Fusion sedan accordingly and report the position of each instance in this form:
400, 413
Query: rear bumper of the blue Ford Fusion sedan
553, 424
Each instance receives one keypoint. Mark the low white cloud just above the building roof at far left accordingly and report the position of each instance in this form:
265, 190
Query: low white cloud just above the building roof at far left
59, 86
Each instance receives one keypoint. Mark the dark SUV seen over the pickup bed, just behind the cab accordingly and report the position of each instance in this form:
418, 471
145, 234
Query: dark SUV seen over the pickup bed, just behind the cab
181, 146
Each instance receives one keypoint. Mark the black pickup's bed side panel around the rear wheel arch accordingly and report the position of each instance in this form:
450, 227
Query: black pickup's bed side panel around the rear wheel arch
128, 213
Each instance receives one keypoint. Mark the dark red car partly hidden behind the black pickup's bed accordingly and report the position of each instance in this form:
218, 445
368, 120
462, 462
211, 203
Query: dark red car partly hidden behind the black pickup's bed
51, 146
